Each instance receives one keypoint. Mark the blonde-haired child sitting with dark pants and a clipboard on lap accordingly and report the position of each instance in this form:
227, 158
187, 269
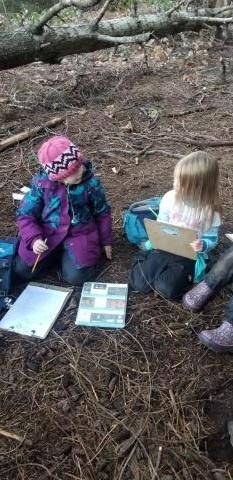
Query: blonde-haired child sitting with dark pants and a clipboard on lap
193, 203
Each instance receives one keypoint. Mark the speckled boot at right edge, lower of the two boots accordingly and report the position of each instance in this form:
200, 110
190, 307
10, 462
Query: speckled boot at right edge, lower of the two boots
220, 339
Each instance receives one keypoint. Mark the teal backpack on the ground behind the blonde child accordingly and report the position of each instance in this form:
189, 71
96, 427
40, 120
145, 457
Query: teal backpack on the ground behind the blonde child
133, 219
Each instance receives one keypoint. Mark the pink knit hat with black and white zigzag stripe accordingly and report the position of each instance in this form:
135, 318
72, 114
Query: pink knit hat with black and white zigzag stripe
59, 157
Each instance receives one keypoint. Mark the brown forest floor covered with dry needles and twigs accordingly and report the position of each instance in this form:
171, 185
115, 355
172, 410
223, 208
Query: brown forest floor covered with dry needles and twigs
138, 404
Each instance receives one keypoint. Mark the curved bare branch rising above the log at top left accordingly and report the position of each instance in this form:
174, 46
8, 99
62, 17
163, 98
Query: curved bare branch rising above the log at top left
53, 11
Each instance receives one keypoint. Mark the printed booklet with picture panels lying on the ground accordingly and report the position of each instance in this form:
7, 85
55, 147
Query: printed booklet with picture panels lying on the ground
102, 305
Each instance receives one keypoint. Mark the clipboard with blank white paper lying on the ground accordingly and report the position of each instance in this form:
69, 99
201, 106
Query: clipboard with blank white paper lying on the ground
35, 310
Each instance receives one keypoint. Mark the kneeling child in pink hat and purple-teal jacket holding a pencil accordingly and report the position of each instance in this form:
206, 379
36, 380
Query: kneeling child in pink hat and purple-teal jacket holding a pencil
65, 217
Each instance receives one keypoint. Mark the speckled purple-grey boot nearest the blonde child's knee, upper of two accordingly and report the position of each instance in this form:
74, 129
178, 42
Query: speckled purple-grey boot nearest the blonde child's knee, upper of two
196, 298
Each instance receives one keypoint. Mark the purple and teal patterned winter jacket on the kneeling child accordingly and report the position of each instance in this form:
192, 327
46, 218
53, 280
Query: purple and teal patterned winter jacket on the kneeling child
78, 217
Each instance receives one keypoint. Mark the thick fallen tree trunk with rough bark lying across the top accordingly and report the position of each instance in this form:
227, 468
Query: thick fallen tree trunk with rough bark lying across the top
22, 46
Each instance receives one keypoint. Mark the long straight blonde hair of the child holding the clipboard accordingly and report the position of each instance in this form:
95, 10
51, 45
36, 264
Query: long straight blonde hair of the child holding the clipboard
196, 183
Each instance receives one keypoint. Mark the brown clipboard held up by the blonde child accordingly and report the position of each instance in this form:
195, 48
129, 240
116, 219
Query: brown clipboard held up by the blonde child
171, 238
